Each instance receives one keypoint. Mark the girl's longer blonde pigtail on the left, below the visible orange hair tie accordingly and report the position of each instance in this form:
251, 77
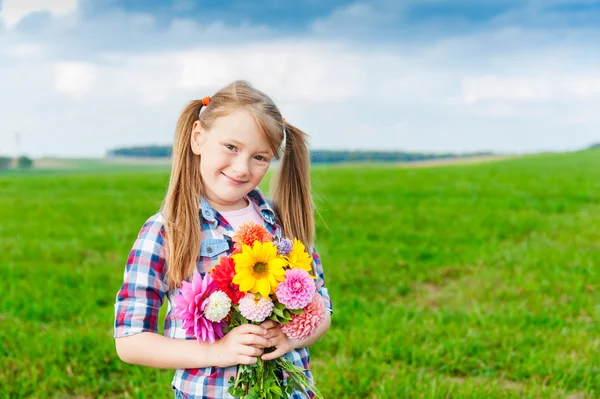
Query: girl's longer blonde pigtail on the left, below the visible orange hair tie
181, 204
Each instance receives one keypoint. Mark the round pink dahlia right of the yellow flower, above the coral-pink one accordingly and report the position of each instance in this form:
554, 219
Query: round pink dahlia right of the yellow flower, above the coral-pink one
297, 290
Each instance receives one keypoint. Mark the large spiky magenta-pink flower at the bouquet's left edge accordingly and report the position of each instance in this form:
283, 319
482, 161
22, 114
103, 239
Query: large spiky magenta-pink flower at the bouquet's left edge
190, 305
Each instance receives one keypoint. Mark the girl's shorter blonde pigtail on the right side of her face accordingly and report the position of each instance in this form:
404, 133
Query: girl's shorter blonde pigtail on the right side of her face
291, 195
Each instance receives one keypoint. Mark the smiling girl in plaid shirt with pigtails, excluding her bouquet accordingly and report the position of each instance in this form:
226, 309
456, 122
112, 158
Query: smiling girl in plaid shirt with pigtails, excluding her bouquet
220, 155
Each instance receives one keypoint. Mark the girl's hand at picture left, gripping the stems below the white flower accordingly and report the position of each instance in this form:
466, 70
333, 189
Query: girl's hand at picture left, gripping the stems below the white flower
242, 345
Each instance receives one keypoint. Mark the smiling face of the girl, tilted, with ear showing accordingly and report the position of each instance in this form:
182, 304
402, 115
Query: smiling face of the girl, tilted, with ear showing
234, 157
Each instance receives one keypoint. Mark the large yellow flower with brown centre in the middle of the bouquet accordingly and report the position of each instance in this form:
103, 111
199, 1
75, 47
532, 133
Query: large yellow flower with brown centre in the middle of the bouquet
258, 268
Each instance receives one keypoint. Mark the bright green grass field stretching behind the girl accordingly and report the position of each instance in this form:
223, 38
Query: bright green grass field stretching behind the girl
448, 282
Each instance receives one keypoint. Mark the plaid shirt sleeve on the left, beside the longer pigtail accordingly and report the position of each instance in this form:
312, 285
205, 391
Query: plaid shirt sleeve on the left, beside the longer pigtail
139, 300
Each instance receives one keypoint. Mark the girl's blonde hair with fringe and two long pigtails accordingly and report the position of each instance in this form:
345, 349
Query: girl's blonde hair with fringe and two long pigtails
292, 198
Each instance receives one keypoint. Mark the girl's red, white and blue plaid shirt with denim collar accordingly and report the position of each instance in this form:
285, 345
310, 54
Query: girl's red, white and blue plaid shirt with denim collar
144, 290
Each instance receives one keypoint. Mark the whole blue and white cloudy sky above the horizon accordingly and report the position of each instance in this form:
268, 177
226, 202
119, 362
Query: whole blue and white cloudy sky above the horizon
78, 77
